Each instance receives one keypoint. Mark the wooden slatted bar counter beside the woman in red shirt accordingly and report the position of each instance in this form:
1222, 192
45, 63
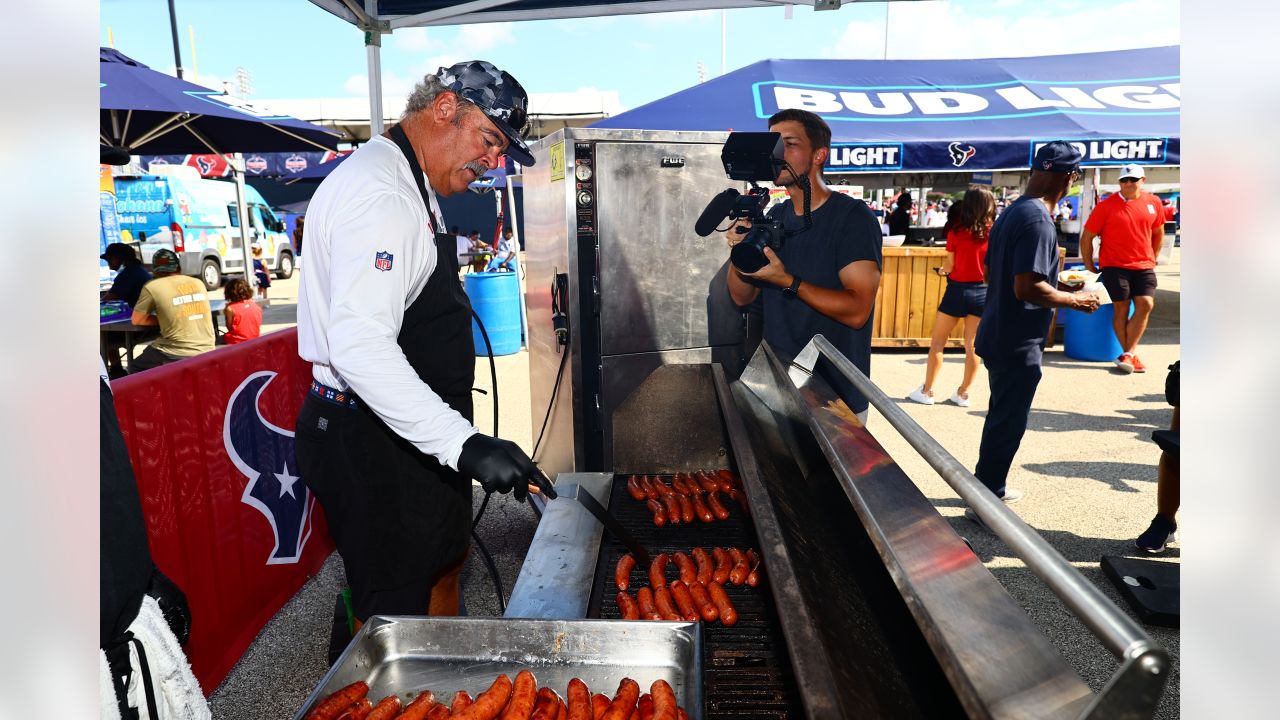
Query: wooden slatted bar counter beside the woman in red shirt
908, 299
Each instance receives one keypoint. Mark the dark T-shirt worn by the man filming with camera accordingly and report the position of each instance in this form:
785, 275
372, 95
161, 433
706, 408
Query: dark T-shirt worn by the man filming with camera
844, 231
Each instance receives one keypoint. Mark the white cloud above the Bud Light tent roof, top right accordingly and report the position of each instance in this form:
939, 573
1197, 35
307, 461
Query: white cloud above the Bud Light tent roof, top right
934, 30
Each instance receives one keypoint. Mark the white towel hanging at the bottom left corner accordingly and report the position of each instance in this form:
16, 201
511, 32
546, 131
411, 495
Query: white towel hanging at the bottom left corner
179, 695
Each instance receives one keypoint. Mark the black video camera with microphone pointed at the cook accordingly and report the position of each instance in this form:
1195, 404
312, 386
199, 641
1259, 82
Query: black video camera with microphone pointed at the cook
752, 157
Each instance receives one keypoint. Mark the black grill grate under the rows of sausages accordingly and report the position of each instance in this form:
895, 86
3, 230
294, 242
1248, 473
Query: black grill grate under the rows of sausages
747, 672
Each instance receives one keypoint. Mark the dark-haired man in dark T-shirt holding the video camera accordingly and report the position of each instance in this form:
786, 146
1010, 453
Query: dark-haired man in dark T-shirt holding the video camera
824, 280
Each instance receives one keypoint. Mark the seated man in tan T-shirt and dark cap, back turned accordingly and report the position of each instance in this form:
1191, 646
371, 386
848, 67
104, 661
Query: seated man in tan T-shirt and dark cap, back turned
181, 309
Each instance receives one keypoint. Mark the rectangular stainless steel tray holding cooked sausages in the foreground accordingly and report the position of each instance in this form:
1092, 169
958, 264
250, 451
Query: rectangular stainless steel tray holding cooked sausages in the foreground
445, 655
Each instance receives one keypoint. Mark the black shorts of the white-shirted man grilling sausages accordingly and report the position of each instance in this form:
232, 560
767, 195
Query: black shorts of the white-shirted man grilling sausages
399, 517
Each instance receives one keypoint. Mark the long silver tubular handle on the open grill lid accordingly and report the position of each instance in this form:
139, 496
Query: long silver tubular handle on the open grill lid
1145, 666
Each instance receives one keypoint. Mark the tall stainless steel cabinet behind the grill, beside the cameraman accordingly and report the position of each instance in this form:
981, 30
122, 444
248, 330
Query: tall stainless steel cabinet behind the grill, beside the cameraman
644, 290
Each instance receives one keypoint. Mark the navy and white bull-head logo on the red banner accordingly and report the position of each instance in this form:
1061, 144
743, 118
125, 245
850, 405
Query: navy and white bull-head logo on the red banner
264, 454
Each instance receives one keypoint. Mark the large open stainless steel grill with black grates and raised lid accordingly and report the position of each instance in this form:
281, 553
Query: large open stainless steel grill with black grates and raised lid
870, 604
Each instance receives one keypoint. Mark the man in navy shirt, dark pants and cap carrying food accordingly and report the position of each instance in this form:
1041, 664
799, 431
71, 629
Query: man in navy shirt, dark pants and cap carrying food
1022, 272
